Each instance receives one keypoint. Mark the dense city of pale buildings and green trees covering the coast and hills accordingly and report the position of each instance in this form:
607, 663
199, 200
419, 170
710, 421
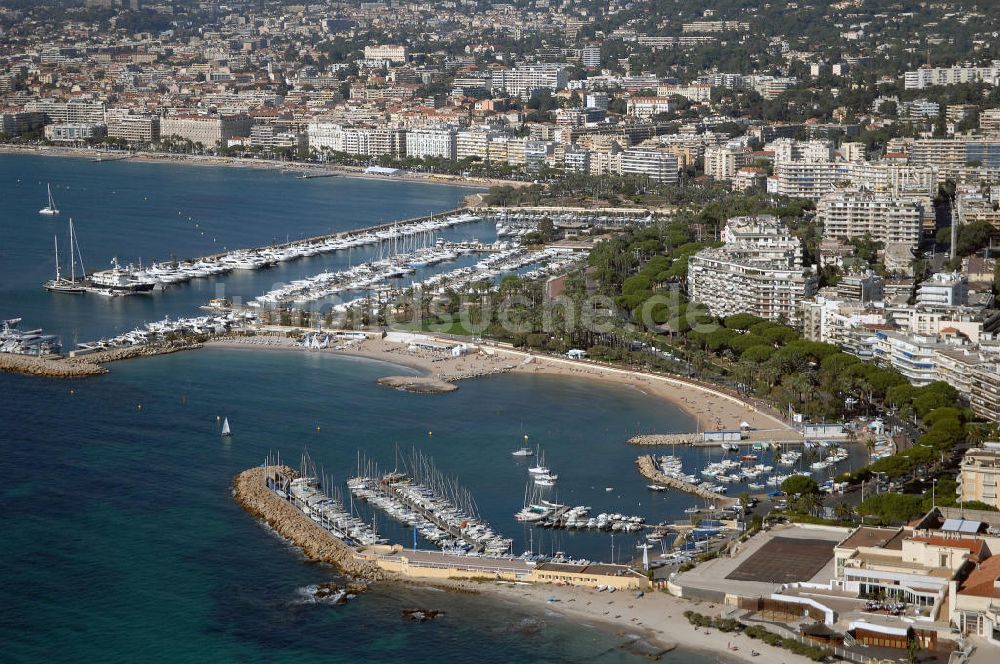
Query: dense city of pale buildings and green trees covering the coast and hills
796, 204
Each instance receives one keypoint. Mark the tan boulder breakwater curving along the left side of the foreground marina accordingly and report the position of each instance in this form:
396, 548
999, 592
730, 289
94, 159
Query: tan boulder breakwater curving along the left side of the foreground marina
251, 492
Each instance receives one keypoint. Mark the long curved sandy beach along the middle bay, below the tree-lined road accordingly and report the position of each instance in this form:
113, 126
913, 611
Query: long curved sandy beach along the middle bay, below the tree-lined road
713, 409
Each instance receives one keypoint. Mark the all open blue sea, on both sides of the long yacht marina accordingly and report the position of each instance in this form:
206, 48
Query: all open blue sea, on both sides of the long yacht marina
121, 539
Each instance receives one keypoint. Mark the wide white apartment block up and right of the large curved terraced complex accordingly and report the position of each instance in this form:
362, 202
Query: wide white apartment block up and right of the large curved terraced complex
849, 214
